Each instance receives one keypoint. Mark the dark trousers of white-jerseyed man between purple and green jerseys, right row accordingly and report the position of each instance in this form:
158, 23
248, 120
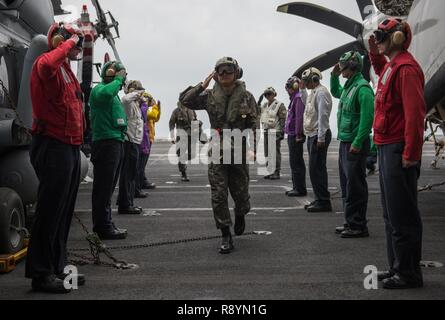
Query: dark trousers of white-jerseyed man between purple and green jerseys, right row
317, 167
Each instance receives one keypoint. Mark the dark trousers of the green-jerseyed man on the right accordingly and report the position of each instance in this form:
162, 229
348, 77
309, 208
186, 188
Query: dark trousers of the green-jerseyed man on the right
354, 186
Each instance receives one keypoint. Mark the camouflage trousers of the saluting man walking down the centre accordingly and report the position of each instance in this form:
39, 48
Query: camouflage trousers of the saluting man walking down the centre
224, 178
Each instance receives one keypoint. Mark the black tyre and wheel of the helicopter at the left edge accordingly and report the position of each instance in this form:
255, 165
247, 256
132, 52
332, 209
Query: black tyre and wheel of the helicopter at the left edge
12, 222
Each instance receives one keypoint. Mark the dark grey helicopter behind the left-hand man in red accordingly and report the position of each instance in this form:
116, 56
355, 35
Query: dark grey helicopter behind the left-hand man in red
23, 28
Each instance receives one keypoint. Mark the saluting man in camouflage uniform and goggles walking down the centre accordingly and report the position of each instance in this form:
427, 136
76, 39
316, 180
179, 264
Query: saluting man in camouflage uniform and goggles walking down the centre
230, 107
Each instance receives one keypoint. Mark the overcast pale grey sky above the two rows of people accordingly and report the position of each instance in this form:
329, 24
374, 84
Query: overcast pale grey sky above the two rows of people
171, 44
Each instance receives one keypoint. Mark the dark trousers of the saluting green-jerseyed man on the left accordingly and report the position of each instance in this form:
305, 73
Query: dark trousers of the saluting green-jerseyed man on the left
106, 157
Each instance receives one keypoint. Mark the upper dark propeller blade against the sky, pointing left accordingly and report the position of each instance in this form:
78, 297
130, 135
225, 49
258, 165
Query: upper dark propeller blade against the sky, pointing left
323, 15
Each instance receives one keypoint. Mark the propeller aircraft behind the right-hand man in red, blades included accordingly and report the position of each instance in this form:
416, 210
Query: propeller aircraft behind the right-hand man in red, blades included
425, 18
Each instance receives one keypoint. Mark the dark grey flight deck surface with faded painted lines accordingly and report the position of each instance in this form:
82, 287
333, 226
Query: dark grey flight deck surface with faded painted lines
302, 259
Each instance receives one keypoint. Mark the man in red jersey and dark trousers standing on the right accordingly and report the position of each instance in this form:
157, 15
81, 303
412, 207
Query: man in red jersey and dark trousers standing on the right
398, 132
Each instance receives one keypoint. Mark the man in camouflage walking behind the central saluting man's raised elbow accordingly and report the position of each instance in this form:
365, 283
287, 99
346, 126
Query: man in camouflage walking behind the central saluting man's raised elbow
182, 119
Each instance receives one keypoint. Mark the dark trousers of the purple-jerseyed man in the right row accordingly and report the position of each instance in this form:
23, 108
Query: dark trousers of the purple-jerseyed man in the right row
297, 165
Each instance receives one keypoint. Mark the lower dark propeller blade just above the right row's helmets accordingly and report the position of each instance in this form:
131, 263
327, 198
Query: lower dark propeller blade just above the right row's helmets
330, 58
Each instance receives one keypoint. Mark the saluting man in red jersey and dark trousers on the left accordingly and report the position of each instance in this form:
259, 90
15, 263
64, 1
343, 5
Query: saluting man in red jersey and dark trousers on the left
58, 126
